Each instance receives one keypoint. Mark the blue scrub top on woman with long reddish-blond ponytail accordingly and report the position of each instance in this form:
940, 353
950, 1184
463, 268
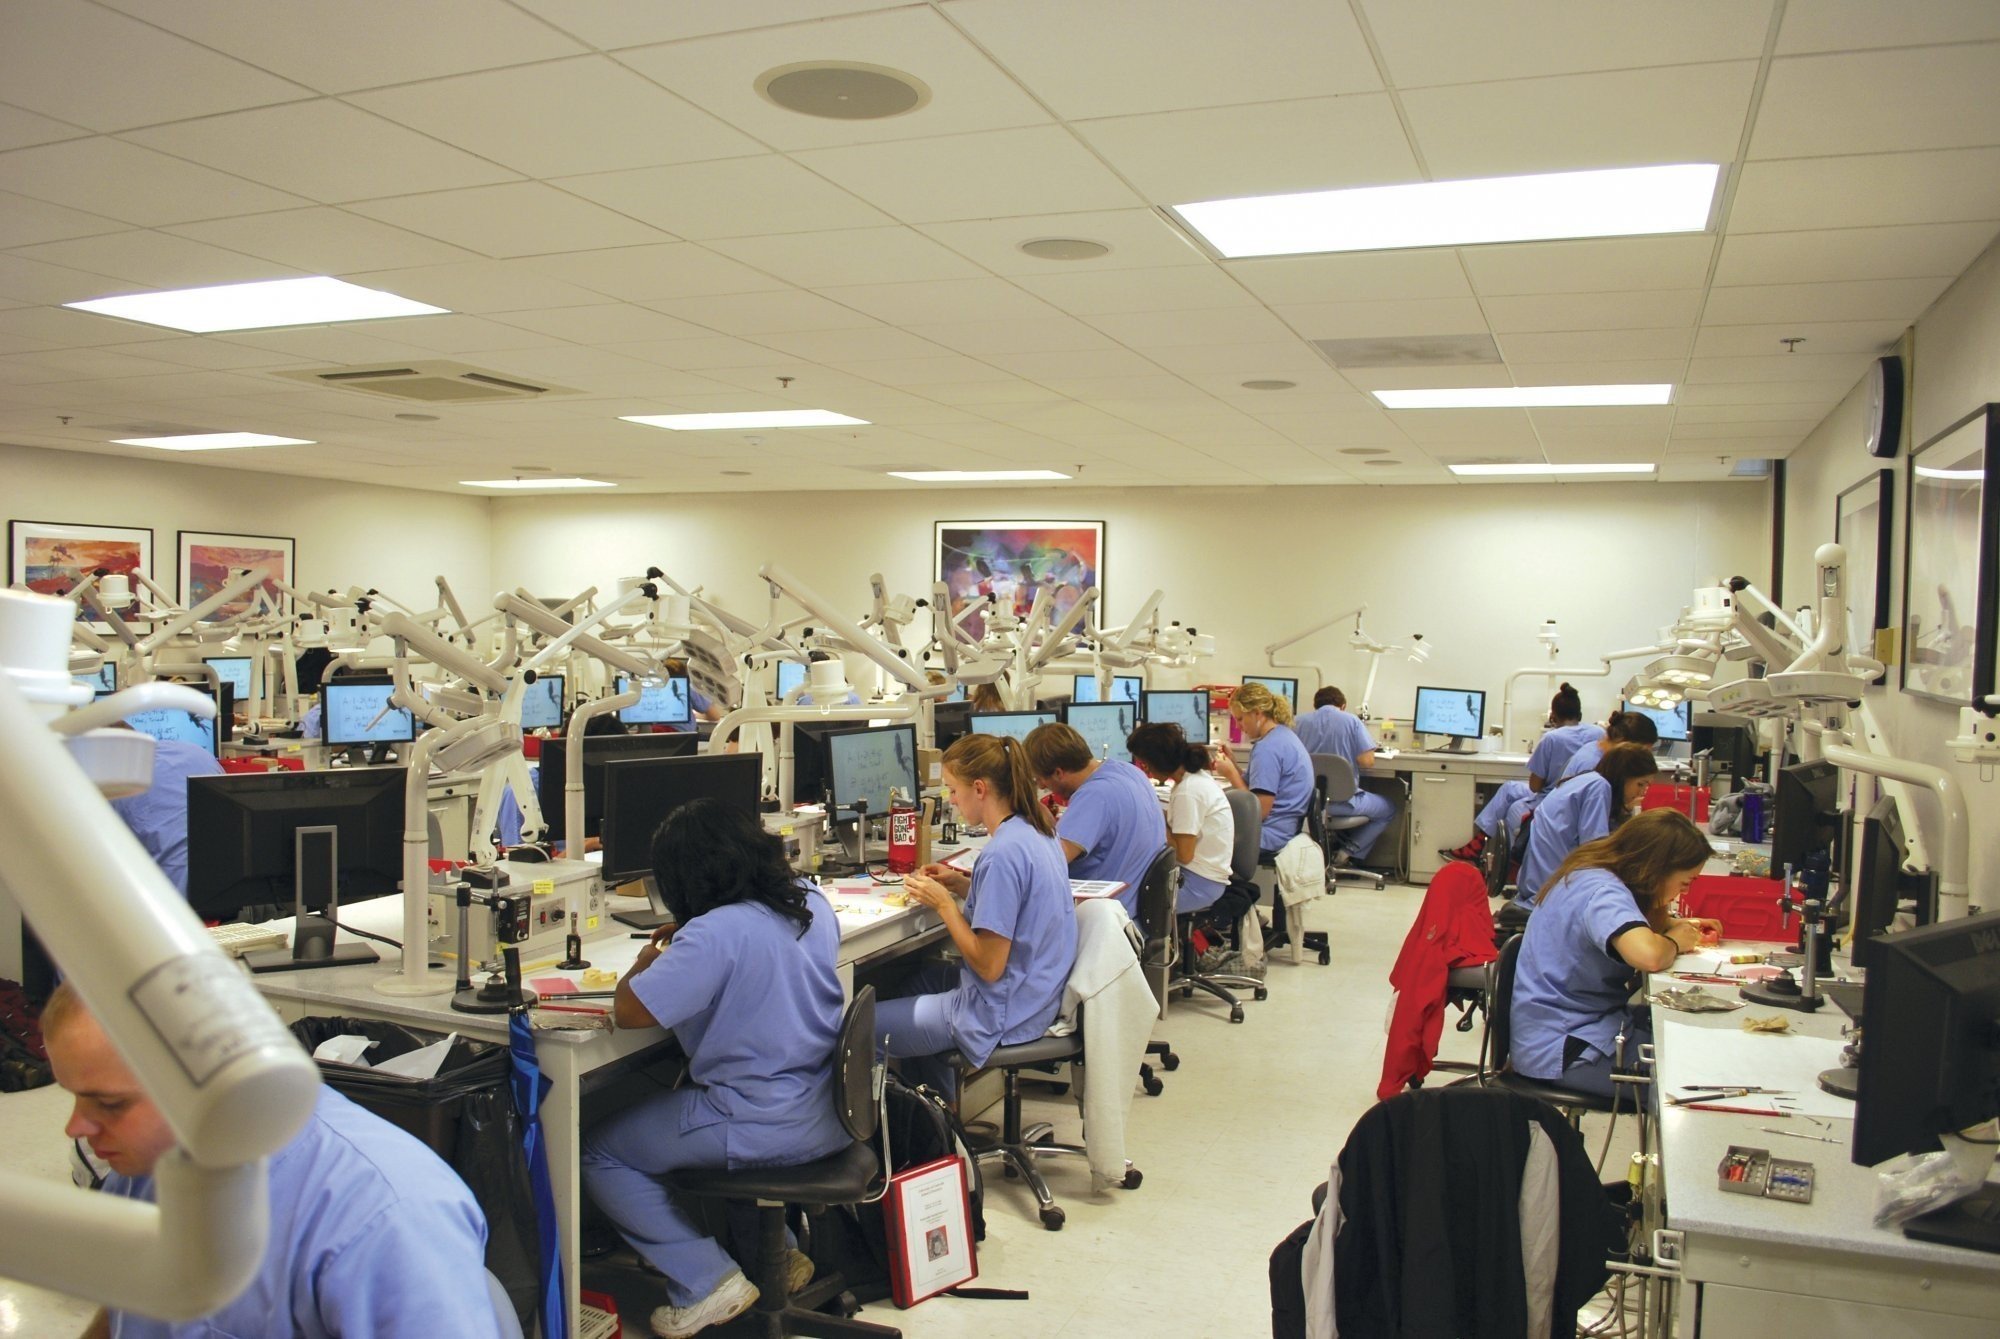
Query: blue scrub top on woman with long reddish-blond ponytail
1021, 892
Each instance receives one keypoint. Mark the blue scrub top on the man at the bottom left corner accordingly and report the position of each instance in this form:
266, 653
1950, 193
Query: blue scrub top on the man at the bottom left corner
371, 1234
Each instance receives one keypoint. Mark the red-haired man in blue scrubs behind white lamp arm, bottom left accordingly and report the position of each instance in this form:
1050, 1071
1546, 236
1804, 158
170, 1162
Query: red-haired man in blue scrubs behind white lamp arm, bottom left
371, 1234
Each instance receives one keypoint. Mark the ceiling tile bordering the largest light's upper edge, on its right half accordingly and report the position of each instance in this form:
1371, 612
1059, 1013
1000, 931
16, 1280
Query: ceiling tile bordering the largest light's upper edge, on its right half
1583, 121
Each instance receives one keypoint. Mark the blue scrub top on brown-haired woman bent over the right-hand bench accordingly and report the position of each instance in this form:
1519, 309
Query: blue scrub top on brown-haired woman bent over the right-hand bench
1569, 982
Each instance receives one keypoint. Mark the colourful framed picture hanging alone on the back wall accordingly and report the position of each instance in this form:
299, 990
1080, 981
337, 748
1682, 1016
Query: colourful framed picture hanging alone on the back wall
1013, 561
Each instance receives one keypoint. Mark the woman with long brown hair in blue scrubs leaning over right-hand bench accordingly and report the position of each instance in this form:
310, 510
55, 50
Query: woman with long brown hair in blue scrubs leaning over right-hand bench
1607, 918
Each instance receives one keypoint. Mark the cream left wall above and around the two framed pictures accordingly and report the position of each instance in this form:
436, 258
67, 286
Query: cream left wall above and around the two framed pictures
349, 535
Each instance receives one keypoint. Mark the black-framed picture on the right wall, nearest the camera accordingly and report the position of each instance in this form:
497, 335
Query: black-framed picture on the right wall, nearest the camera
1951, 561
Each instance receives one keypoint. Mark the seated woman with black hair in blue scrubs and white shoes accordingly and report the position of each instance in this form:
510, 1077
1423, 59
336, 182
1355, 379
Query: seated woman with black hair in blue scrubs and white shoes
749, 986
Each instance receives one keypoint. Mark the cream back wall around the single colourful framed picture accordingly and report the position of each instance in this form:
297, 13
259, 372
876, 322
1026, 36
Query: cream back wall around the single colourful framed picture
1473, 569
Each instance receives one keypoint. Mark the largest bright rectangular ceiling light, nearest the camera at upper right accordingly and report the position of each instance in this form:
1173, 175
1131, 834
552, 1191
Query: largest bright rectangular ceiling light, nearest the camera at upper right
1507, 209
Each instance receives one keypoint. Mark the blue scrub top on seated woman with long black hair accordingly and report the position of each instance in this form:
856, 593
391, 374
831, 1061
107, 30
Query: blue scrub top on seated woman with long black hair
755, 1002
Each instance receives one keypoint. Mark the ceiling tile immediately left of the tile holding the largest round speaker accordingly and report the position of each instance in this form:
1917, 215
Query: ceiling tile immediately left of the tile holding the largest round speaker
611, 119
